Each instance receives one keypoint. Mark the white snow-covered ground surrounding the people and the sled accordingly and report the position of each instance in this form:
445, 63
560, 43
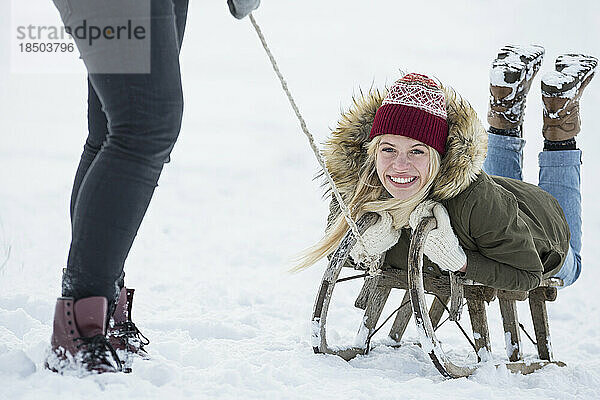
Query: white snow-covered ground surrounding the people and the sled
238, 201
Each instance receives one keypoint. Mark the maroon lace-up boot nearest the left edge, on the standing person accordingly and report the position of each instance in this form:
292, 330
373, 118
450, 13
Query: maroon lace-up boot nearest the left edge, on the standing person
78, 340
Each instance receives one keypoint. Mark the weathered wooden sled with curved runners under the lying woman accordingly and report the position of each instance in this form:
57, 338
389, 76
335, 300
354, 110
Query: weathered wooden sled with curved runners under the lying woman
376, 290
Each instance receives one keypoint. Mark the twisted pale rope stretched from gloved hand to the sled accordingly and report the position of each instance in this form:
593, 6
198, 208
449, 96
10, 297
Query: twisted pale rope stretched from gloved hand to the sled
370, 260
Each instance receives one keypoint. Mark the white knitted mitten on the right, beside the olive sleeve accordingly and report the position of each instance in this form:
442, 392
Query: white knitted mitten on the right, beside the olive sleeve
441, 245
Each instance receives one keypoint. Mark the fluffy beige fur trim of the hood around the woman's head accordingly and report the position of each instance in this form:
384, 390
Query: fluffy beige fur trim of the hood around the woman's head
466, 147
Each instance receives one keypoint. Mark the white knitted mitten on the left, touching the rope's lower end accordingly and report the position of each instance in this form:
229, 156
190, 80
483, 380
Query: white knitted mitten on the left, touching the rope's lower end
378, 238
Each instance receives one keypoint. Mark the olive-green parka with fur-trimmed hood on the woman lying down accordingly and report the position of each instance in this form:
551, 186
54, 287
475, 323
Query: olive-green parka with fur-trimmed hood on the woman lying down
513, 233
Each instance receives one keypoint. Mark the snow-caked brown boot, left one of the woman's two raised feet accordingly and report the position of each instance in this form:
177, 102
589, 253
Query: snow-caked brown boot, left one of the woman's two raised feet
511, 75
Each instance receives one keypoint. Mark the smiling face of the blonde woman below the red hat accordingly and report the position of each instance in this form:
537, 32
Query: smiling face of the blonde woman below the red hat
402, 165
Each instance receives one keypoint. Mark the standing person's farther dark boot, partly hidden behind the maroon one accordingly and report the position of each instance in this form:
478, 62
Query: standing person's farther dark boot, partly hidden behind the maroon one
122, 332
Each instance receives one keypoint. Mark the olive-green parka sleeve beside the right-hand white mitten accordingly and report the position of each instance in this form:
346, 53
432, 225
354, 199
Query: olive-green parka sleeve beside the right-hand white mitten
506, 256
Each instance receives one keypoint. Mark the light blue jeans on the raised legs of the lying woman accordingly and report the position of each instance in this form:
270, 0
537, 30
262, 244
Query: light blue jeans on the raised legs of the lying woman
559, 175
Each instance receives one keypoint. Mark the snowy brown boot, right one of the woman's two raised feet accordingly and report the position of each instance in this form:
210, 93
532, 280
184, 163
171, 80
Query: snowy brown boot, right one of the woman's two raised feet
561, 91
